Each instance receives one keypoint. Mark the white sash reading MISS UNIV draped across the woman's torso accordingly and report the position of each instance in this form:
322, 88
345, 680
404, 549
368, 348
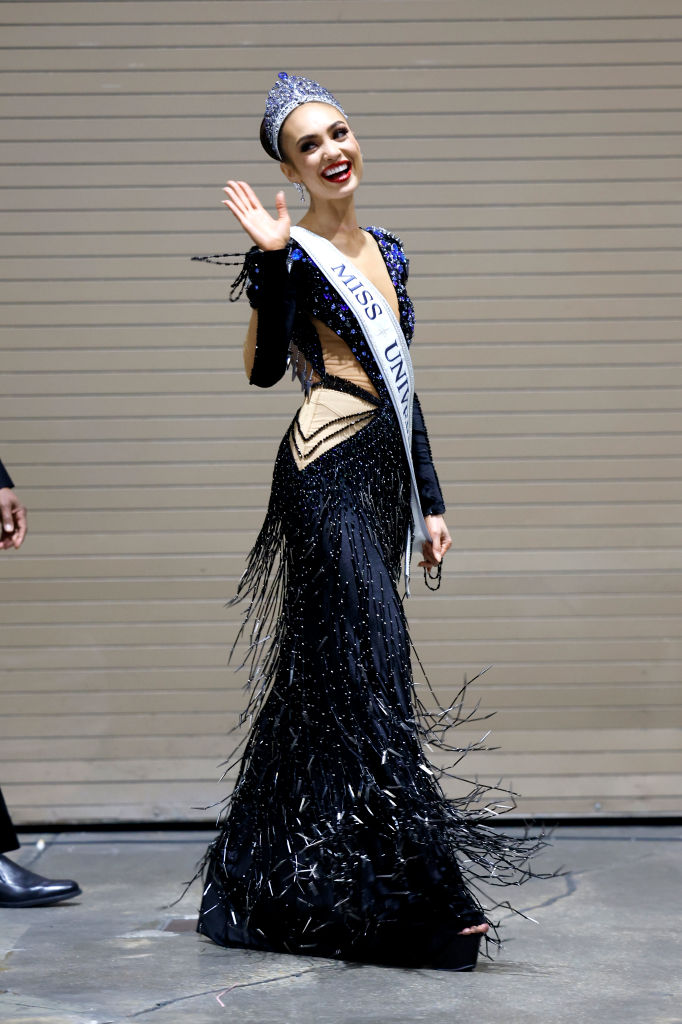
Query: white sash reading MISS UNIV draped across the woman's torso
388, 345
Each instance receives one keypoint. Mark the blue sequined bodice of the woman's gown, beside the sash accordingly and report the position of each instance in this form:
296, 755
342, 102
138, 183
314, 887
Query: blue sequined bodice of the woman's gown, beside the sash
316, 297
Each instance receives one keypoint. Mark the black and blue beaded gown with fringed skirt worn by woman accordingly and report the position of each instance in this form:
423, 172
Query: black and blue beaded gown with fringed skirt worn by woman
338, 840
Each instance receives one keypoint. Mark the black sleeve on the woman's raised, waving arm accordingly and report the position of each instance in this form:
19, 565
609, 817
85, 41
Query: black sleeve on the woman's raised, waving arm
271, 292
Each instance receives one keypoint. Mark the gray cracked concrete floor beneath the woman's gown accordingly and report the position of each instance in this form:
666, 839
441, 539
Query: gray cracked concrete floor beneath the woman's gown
607, 947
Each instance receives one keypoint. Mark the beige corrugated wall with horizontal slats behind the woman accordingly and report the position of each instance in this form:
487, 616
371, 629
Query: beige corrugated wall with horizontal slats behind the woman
531, 156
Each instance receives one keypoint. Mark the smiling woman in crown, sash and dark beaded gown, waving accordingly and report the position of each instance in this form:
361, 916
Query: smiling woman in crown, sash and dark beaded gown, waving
337, 840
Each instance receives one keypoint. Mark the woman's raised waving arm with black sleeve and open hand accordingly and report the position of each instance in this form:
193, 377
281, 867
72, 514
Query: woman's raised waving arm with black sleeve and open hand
270, 291
